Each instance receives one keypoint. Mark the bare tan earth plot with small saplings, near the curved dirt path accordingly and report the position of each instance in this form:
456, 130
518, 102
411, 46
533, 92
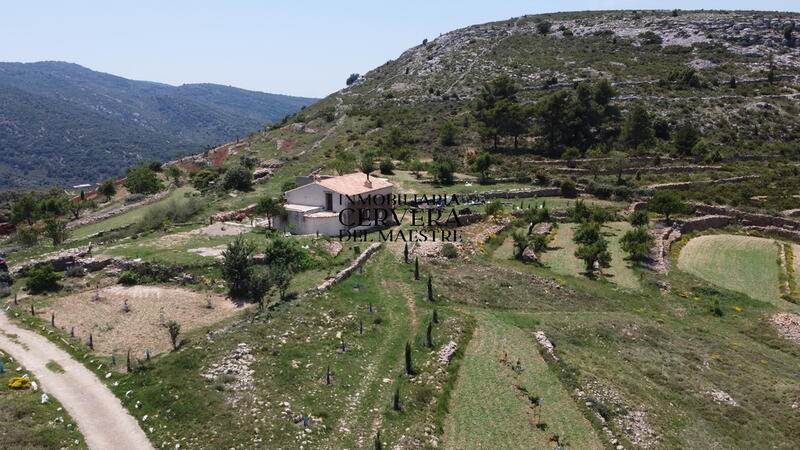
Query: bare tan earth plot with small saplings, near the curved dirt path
140, 329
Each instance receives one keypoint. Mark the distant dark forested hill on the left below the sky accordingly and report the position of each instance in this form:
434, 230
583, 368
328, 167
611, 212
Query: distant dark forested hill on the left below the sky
62, 123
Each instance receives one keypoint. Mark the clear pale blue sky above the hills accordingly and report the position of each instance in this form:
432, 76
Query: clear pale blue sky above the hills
295, 47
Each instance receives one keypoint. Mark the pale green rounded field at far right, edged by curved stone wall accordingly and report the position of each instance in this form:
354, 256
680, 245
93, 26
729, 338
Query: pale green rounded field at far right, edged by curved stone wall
741, 263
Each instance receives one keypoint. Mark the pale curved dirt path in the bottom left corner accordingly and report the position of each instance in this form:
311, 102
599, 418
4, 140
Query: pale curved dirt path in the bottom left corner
105, 424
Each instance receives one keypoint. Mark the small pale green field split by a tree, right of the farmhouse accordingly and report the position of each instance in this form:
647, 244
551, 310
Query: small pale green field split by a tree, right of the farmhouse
560, 256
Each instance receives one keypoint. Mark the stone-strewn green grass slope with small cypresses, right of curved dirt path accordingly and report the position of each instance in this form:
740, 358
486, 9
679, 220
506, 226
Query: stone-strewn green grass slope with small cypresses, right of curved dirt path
292, 348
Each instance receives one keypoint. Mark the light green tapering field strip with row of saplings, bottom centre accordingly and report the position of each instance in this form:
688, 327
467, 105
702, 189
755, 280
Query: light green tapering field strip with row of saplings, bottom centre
489, 412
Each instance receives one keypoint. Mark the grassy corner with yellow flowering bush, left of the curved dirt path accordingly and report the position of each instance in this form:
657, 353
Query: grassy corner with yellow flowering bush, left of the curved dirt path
26, 423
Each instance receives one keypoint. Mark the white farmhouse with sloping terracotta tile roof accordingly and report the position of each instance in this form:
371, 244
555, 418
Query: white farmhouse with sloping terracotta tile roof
330, 205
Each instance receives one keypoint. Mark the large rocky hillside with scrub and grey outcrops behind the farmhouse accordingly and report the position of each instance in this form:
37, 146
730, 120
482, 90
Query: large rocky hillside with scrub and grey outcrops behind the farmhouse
731, 75
